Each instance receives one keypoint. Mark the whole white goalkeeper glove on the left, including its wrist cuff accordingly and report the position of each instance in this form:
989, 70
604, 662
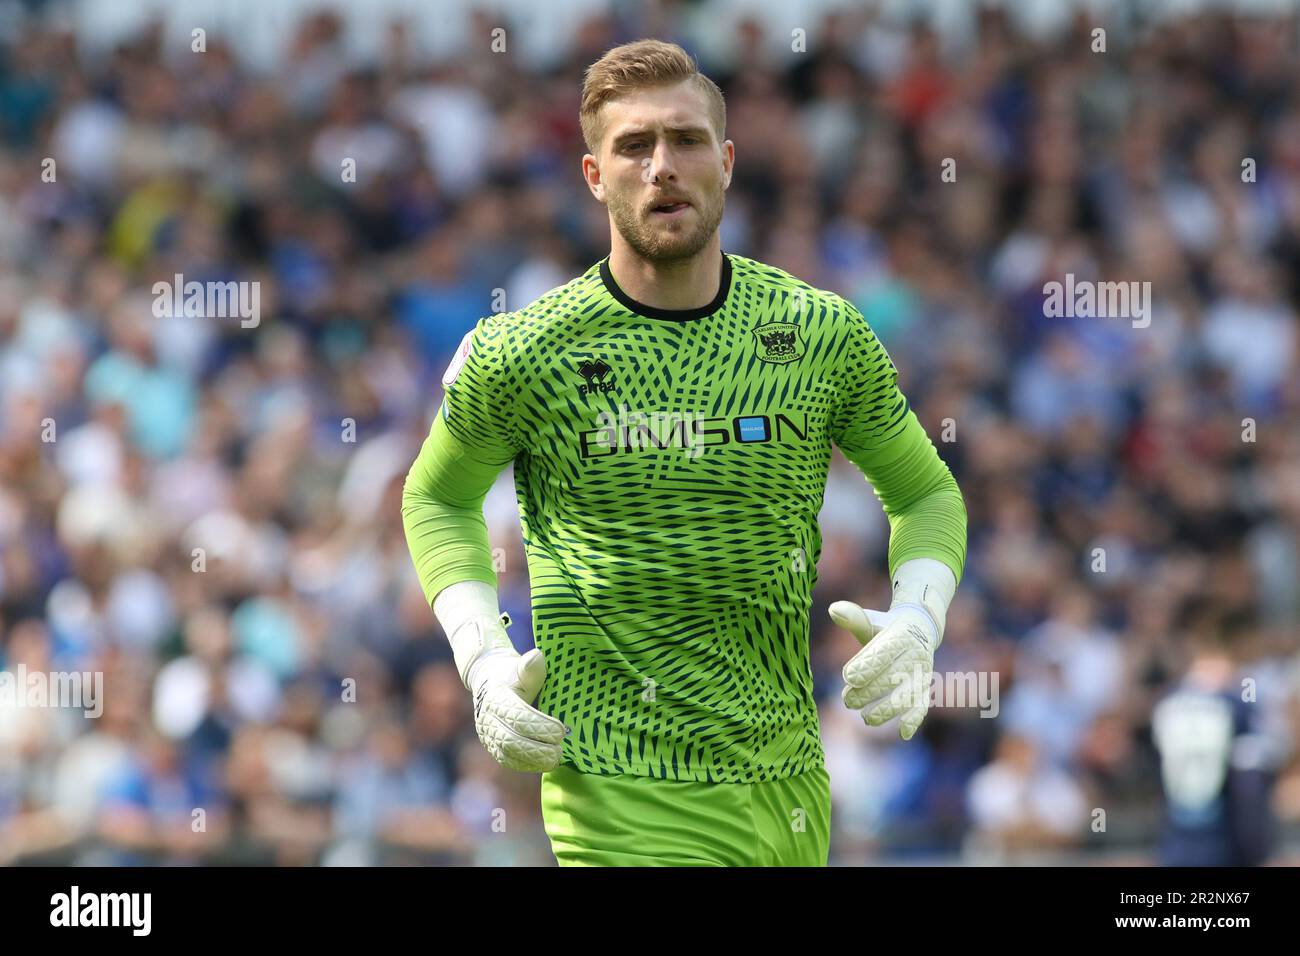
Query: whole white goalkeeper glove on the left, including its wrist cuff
504, 682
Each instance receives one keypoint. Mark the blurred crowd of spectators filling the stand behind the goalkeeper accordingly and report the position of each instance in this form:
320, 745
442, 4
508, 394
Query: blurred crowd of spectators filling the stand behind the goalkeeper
209, 513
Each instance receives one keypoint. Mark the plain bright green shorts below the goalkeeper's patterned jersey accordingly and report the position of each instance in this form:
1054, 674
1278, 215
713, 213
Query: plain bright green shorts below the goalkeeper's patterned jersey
616, 820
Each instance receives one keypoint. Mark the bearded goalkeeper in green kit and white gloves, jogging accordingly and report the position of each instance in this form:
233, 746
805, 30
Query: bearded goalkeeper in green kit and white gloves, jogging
670, 417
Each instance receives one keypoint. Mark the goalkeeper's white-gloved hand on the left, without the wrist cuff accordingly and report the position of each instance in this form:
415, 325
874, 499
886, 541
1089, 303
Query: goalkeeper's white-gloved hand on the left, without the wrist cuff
505, 685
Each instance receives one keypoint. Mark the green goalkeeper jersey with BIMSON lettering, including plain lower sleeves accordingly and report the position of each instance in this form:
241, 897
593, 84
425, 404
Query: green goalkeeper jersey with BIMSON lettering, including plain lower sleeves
670, 466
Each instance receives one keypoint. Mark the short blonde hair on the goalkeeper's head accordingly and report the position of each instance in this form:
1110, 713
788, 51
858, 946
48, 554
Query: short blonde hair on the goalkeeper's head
638, 67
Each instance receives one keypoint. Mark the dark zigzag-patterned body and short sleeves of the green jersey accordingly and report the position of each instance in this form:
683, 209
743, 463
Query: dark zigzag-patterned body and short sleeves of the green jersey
671, 592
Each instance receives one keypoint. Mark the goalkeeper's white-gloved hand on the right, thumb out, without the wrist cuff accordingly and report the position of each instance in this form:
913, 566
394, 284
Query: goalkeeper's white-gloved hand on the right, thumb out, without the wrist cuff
891, 676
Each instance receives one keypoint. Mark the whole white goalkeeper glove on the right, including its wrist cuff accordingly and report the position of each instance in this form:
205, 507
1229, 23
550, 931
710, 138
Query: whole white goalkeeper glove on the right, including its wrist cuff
891, 676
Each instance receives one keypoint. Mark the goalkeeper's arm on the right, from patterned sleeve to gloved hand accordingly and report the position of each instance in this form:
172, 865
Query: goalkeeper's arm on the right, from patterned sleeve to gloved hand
877, 430
